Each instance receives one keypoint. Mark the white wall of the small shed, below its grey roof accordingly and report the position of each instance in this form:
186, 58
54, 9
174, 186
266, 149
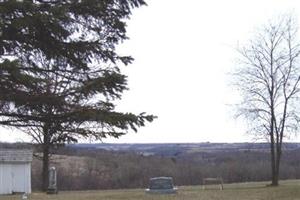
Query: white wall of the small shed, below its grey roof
15, 177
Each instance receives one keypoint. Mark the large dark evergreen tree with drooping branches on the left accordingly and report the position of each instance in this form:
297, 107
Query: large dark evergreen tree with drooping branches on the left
60, 73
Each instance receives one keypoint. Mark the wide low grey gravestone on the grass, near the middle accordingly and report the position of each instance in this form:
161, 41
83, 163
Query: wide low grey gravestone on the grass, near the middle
161, 185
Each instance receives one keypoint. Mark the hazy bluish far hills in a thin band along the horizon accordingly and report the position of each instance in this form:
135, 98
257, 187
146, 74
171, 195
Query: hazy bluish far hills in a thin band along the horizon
175, 149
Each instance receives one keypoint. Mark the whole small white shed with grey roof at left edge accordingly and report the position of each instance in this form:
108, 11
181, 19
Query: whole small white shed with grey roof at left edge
15, 171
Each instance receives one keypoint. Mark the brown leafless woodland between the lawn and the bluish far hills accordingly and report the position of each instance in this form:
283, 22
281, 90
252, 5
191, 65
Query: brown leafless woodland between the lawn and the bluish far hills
90, 168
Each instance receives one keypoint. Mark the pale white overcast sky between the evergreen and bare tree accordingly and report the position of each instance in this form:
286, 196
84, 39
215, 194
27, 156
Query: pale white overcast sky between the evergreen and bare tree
183, 53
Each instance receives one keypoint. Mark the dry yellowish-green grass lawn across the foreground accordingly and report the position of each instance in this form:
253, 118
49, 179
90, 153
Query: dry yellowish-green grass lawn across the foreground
288, 190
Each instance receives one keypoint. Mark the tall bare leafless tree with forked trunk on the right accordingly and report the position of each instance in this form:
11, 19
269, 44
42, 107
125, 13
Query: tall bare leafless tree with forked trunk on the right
268, 79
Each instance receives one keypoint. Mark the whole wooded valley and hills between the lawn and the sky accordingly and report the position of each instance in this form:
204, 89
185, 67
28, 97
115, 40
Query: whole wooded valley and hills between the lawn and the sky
115, 166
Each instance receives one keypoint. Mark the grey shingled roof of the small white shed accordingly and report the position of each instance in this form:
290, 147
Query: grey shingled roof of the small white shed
15, 155
